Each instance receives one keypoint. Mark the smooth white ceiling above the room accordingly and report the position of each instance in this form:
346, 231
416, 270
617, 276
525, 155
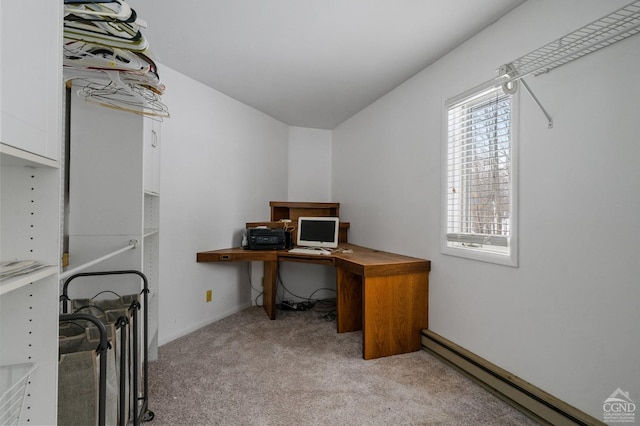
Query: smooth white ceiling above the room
309, 63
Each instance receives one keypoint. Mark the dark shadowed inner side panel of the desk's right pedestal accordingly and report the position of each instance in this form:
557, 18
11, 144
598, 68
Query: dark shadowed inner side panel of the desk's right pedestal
349, 301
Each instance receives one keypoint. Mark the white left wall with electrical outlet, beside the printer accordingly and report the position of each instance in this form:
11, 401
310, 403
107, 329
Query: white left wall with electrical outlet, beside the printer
222, 162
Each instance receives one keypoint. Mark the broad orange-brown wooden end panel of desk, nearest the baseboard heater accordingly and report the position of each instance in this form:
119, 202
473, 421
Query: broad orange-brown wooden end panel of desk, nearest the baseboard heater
395, 310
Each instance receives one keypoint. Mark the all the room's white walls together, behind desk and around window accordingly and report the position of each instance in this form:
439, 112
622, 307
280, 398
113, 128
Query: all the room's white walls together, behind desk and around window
565, 319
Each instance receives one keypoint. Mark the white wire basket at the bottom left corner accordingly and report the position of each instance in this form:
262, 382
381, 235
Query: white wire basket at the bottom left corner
14, 380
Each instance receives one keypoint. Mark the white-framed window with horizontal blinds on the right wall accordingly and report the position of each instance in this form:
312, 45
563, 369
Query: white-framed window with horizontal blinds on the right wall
480, 195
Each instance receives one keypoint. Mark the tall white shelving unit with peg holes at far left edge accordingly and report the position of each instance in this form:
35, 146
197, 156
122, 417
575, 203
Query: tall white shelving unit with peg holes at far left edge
30, 176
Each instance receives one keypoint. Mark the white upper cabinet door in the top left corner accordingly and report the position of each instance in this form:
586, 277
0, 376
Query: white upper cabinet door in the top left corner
31, 83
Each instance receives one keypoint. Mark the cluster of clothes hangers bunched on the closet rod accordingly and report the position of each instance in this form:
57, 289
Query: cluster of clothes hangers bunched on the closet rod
104, 48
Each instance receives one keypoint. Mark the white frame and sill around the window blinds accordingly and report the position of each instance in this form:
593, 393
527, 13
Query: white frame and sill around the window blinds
492, 249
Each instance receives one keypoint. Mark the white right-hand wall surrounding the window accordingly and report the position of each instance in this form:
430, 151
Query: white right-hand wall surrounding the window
566, 319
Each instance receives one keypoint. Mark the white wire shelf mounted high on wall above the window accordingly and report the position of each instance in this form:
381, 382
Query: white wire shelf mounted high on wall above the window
603, 32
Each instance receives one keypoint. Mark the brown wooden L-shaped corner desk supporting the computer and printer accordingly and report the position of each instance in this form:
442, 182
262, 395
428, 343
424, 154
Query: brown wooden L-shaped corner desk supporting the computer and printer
383, 294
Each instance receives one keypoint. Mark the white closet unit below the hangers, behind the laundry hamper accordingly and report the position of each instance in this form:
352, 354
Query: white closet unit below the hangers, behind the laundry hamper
113, 199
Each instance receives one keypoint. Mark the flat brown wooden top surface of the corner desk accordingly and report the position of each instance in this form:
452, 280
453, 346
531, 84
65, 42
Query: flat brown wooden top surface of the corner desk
360, 260
